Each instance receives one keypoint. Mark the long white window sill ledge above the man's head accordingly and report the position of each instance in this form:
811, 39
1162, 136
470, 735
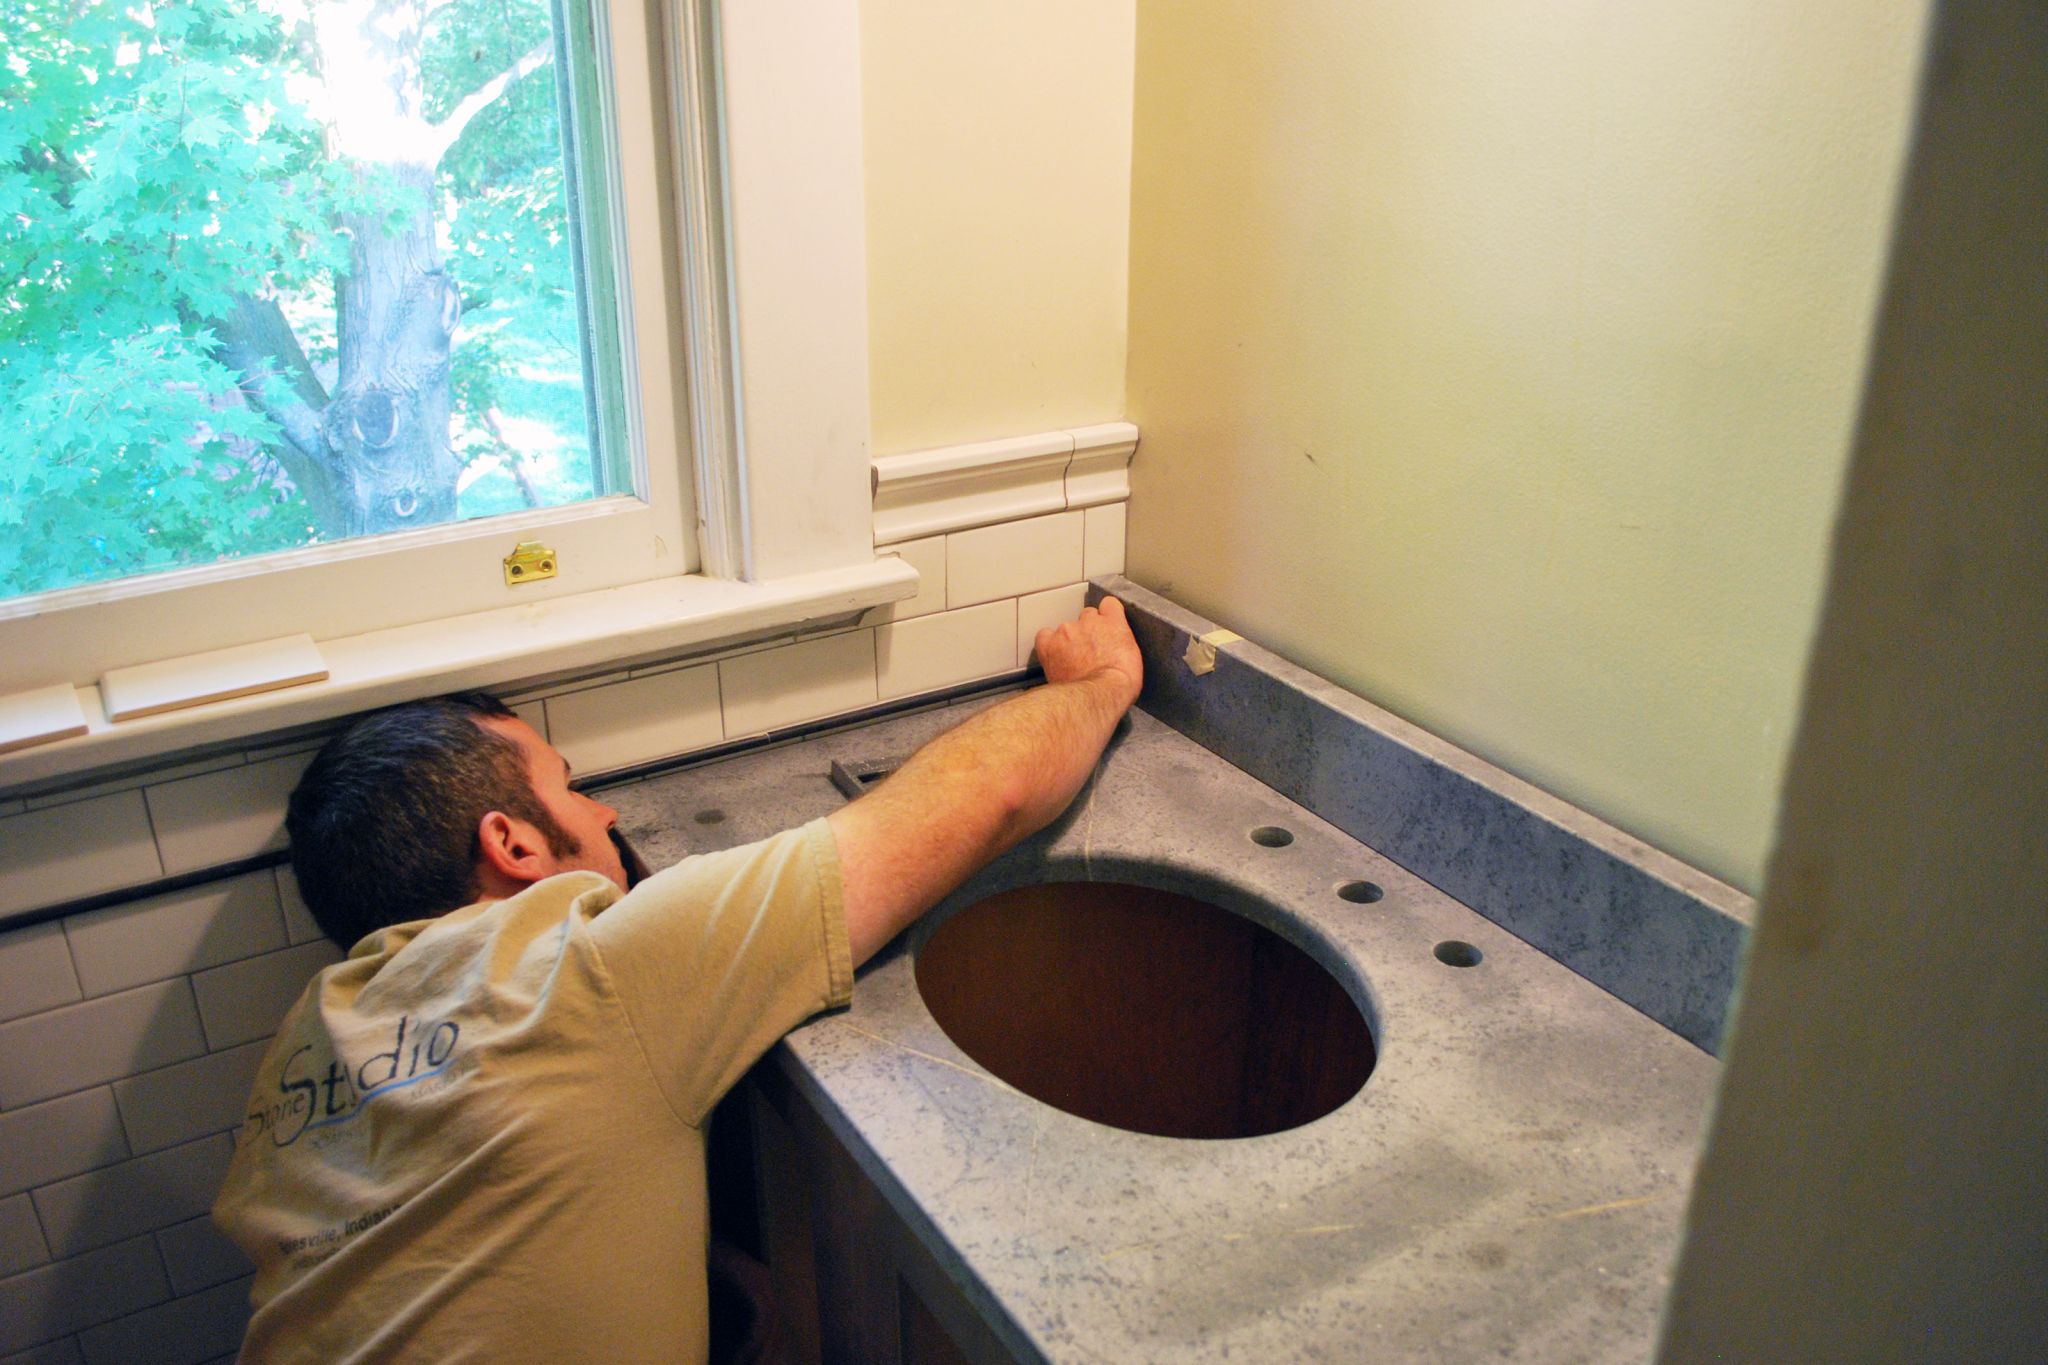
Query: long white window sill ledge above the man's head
505, 648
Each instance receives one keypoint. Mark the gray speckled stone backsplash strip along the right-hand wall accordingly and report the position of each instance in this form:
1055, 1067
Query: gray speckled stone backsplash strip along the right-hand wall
1652, 930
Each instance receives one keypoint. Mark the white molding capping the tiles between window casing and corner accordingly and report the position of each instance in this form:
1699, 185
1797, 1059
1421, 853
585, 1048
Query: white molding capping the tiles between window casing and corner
957, 488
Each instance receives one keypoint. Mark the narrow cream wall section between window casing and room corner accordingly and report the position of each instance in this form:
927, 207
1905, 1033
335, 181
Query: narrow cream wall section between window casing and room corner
998, 183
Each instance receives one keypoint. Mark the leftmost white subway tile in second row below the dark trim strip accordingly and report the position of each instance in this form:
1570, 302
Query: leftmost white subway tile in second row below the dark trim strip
101, 1041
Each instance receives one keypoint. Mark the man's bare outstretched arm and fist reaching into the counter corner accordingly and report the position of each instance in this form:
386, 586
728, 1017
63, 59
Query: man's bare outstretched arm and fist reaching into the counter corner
988, 783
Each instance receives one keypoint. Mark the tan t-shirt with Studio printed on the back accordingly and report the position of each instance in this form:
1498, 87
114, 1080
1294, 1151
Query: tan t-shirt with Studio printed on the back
480, 1137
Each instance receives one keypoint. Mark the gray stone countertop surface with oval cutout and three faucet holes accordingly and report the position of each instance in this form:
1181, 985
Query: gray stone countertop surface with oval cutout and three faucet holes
1506, 1186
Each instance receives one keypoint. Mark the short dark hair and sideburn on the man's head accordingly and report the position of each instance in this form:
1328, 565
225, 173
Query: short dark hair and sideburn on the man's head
384, 824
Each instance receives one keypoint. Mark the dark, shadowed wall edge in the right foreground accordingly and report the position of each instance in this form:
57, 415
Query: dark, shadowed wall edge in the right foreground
1879, 1137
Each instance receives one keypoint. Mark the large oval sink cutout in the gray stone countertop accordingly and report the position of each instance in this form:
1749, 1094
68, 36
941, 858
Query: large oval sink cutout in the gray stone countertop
1146, 1010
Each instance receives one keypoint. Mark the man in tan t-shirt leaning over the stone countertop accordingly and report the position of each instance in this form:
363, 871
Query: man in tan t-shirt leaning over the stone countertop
482, 1135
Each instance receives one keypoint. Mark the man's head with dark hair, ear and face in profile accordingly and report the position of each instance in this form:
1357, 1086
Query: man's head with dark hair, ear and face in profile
427, 807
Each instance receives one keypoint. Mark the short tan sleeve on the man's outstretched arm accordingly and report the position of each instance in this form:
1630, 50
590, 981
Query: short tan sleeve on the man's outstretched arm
722, 955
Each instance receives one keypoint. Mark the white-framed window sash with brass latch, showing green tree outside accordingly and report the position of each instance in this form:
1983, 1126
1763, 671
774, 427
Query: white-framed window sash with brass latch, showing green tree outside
316, 308
